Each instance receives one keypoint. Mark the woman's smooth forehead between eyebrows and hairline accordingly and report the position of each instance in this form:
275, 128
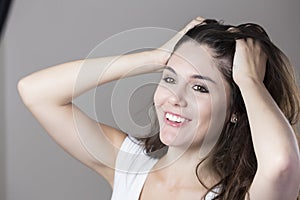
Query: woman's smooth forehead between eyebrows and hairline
193, 58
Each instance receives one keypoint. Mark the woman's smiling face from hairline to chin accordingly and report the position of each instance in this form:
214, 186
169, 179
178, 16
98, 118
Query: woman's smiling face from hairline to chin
191, 99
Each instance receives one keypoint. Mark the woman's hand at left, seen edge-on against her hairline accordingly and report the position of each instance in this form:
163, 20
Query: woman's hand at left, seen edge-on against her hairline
164, 52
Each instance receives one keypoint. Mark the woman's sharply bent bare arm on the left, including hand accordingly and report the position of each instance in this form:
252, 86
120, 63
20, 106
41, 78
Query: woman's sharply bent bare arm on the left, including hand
48, 95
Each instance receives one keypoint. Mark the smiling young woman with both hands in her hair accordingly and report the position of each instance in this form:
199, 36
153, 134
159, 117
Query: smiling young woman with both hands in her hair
227, 107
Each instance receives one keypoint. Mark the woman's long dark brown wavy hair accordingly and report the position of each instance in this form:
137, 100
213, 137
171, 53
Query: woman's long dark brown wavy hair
233, 158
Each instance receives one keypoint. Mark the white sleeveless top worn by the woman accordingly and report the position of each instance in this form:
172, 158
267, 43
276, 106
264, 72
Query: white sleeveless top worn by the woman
132, 168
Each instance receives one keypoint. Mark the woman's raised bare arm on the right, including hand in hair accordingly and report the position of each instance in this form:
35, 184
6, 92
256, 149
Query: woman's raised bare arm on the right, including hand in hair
275, 145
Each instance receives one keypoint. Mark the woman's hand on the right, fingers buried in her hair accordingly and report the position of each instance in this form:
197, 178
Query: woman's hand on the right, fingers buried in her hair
249, 62
